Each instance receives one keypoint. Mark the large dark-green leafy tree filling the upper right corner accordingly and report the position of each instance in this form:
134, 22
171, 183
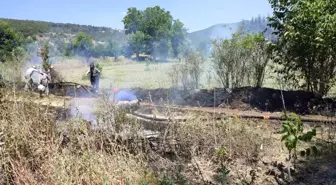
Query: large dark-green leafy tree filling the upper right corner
306, 41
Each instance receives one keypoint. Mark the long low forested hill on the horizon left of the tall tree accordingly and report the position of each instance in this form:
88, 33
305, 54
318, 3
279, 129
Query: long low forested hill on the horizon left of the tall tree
38, 28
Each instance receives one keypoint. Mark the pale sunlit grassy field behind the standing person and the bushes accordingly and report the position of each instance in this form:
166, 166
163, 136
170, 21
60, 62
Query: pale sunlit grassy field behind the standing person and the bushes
126, 74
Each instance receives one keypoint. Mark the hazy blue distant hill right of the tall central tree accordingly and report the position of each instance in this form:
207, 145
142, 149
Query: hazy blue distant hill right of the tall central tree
225, 31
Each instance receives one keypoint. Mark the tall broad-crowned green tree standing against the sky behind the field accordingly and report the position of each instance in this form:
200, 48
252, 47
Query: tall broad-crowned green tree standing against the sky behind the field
154, 32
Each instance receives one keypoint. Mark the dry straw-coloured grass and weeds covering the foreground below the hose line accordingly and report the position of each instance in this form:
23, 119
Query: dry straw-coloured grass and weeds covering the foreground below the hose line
38, 149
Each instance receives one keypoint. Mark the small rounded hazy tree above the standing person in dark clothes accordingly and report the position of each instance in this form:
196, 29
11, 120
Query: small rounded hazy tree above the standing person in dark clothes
82, 44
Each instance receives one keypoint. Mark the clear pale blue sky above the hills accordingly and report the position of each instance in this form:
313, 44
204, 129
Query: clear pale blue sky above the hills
195, 14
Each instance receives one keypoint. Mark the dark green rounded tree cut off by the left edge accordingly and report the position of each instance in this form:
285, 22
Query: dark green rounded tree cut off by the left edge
9, 42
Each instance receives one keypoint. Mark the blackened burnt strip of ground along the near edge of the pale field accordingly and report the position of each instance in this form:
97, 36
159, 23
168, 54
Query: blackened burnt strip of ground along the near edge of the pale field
245, 98
